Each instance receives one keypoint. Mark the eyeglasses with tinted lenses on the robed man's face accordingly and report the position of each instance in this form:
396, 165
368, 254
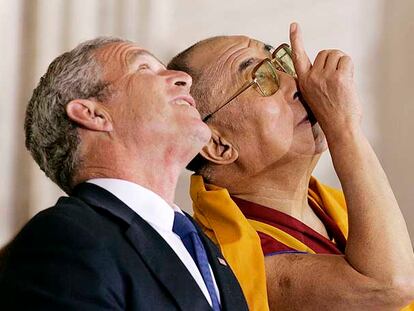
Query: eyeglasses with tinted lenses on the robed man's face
265, 77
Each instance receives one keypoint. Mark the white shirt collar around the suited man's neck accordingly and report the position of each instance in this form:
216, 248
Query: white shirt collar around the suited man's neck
146, 203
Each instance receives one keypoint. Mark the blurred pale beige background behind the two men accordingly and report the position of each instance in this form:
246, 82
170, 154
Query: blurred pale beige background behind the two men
378, 34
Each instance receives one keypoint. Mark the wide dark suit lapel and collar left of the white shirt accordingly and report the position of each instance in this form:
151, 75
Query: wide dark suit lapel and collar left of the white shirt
151, 247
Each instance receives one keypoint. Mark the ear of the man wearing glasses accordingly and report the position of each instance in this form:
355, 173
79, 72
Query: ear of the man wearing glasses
218, 150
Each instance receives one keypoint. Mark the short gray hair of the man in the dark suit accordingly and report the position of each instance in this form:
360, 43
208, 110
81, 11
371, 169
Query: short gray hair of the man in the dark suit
51, 137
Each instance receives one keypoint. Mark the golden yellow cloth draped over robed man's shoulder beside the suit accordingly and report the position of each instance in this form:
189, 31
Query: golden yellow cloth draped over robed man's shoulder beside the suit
223, 222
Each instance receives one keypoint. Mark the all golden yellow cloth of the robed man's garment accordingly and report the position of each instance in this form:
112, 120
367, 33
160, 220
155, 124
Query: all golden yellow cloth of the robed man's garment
221, 219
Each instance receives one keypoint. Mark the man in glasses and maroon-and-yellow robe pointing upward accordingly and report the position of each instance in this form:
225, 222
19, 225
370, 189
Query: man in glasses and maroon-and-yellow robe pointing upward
254, 194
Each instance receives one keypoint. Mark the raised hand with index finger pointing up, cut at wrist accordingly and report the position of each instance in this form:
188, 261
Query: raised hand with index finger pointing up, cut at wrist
327, 86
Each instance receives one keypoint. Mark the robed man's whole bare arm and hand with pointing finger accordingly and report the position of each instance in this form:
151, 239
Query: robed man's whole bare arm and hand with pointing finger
377, 269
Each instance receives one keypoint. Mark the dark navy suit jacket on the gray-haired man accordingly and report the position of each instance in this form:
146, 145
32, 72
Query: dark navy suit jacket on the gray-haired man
92, 252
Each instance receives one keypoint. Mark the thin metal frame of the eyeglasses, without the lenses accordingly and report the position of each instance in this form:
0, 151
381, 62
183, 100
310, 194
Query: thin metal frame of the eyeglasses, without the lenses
247, 85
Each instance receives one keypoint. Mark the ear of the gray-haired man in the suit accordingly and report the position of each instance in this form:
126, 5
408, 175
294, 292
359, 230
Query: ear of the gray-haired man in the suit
89, 114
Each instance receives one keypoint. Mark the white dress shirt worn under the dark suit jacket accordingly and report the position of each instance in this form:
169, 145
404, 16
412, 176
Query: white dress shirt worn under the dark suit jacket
160, 215
